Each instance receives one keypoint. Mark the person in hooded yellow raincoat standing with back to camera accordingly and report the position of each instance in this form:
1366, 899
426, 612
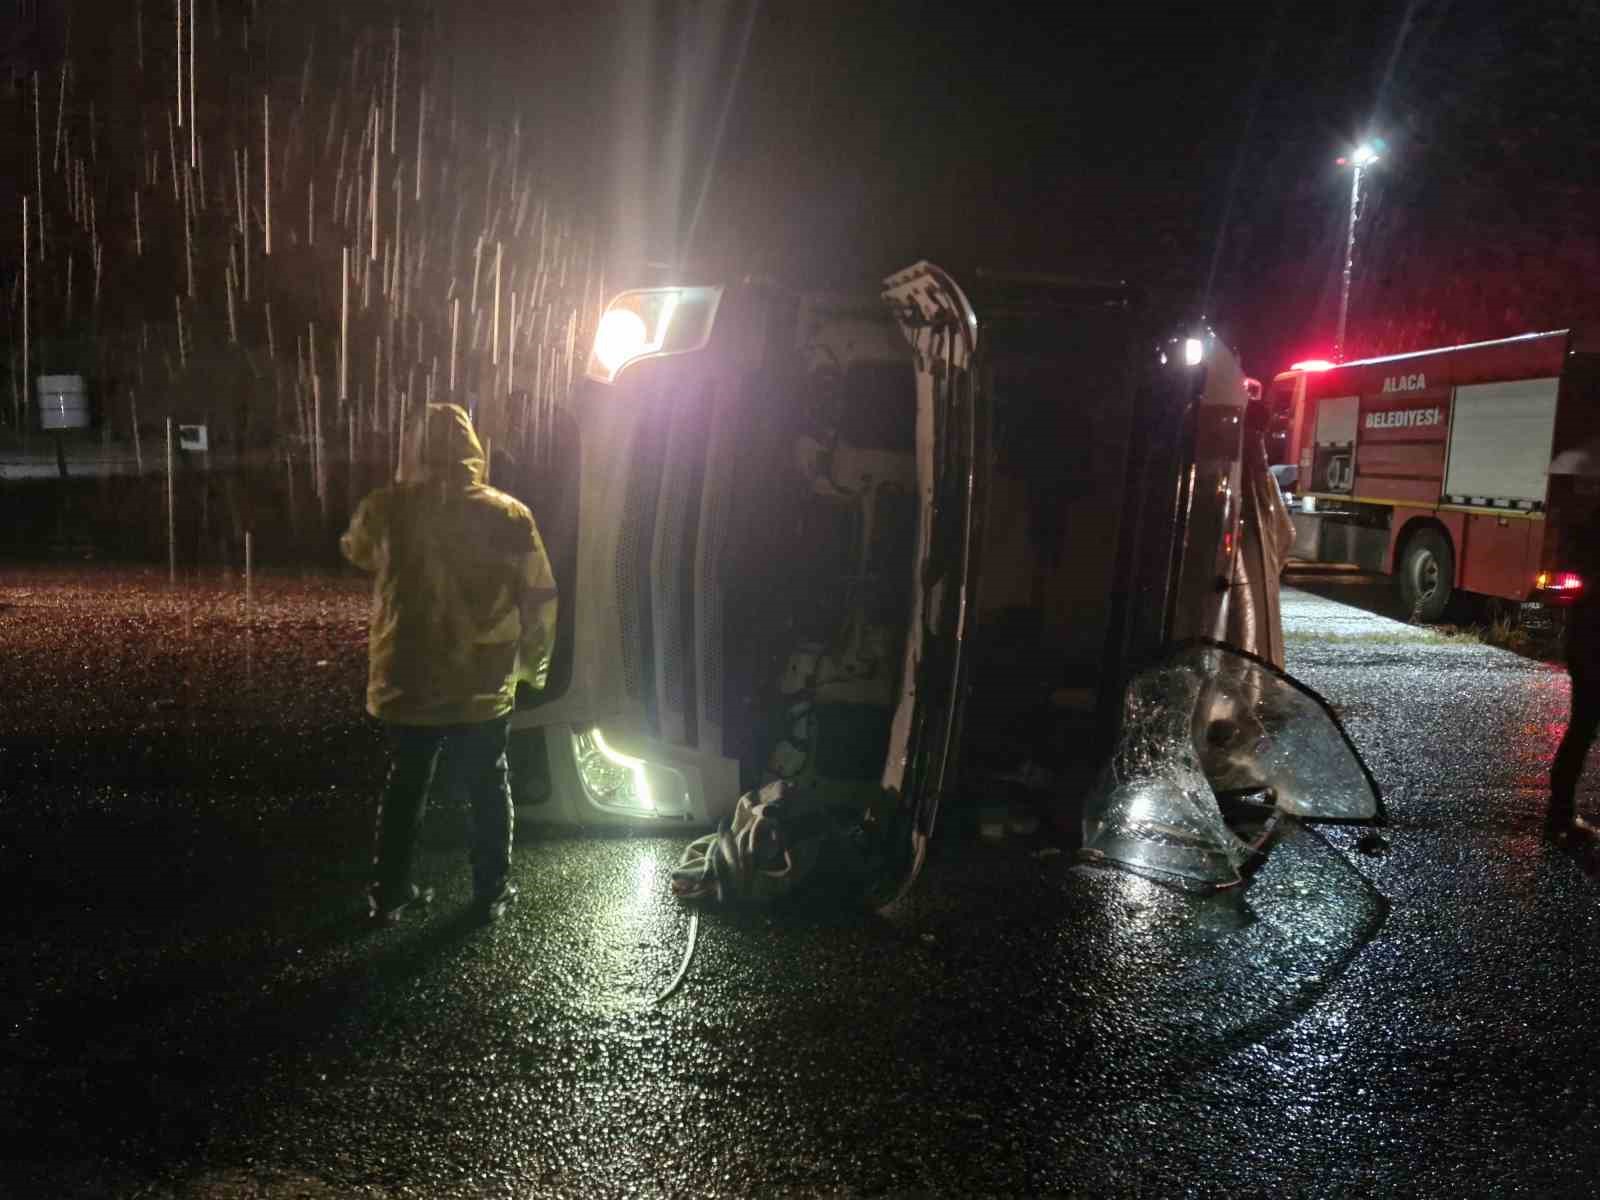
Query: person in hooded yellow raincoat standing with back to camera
463, 609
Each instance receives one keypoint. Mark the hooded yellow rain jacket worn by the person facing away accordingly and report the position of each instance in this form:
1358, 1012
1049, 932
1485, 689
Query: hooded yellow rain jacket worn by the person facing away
463, 601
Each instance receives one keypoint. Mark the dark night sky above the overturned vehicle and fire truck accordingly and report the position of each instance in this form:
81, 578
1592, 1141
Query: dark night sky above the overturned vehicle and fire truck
1186, 148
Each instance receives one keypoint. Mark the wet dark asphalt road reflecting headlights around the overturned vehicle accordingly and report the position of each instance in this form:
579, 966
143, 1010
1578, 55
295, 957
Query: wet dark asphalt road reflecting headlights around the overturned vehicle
190, 1012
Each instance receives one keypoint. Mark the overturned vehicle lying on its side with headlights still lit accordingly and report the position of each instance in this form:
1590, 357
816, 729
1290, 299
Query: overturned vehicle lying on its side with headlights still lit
882, 553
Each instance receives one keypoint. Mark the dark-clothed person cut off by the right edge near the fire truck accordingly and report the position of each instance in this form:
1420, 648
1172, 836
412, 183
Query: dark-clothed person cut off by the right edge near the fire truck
1583, 666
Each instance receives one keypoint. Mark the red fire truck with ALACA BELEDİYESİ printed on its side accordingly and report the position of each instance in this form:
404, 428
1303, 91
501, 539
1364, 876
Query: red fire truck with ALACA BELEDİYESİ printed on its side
1458, 470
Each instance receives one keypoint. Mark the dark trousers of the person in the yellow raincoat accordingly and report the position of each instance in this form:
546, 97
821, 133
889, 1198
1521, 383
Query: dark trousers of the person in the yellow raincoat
476, 758
